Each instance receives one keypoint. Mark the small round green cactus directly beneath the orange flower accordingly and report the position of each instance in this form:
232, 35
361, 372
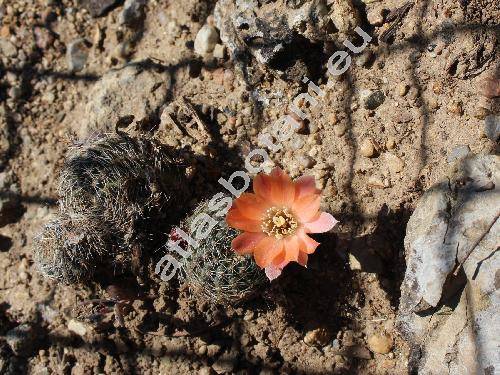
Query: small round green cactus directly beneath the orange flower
213, 270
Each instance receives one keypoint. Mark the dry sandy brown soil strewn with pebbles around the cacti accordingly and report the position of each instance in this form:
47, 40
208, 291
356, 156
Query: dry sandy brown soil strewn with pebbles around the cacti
373, 165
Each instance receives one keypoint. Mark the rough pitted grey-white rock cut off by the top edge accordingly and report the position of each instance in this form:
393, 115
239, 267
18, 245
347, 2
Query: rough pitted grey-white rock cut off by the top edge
267, 29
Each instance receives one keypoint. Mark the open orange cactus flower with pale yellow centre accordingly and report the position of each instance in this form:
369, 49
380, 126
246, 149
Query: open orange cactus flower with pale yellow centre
276, 220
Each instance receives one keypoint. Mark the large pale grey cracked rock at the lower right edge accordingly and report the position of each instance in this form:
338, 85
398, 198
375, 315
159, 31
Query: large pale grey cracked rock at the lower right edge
449, 297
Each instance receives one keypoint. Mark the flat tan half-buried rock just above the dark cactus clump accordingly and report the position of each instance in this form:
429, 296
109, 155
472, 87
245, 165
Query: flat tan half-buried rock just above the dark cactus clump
136, 90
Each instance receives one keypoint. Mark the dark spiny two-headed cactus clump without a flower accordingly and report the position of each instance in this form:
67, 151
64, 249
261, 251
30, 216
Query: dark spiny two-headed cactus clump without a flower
116, 198
